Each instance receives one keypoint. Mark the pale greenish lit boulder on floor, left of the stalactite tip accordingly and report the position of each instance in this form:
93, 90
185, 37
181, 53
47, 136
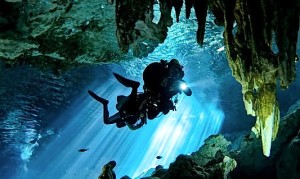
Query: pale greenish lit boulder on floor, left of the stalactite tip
210, 161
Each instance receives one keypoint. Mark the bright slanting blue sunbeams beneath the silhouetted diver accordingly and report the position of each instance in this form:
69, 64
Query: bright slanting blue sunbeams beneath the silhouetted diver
181, 131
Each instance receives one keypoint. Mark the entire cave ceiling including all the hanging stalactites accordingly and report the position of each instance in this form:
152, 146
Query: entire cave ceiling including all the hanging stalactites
260, 38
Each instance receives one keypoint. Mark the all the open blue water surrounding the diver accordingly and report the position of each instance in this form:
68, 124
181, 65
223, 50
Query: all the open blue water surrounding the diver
46, 119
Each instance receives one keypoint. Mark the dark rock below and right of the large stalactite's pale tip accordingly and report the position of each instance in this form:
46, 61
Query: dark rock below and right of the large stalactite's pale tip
283, 162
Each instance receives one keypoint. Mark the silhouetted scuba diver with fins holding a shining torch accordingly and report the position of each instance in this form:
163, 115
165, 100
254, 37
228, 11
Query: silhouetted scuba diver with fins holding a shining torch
161, 82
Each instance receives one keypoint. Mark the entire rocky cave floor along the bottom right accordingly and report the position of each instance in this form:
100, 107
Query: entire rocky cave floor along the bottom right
219, 158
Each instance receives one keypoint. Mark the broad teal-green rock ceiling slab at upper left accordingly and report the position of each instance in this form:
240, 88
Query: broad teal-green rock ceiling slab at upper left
57, 34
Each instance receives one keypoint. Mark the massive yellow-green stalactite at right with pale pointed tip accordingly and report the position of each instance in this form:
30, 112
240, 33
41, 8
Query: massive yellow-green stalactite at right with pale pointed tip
251, 55
